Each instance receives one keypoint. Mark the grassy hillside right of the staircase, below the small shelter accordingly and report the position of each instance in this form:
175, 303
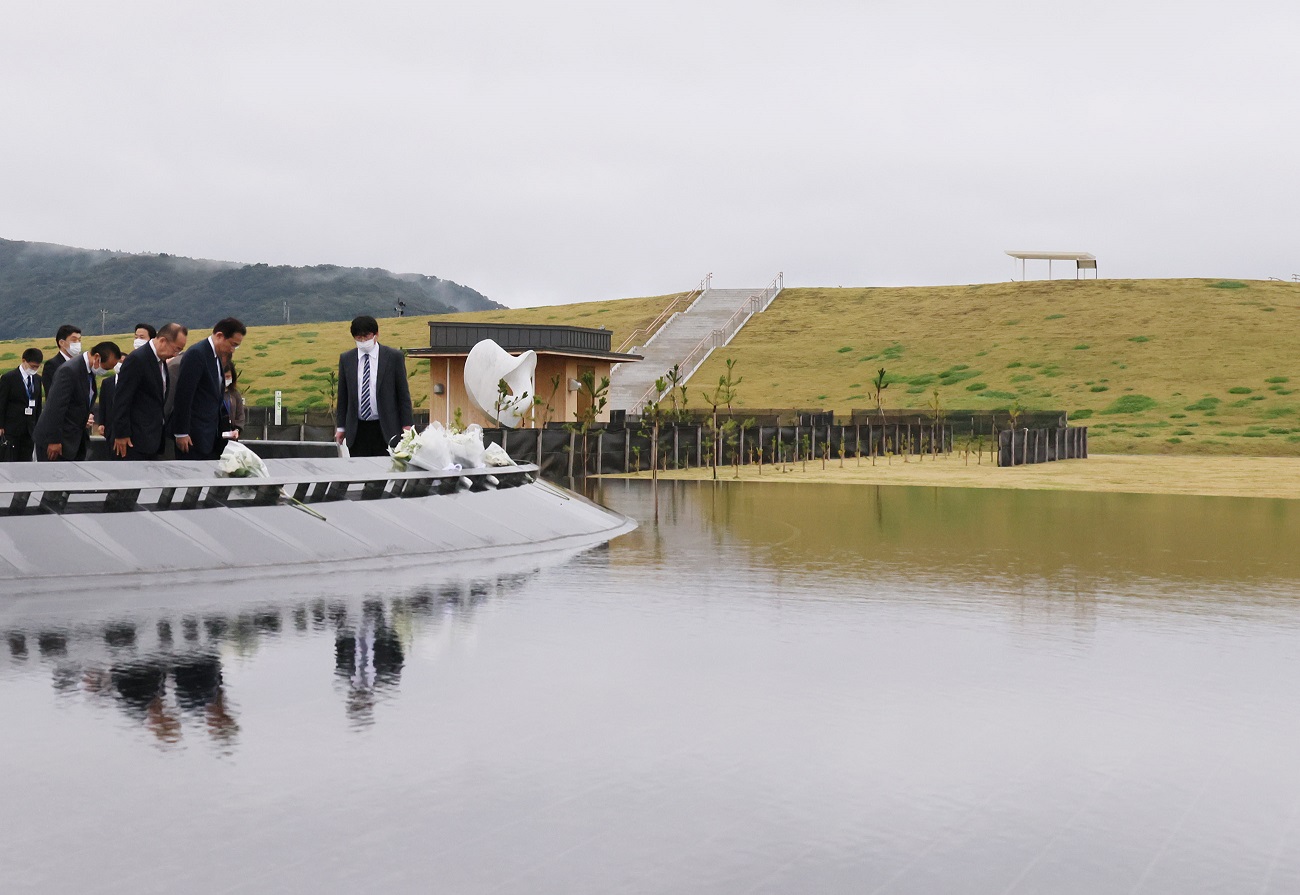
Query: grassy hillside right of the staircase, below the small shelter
1154, 366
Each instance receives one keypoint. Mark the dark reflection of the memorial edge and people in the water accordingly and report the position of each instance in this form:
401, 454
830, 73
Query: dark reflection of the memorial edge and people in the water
166, 671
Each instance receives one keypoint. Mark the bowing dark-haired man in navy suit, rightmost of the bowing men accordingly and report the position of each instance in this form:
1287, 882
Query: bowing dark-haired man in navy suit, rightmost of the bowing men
200, 390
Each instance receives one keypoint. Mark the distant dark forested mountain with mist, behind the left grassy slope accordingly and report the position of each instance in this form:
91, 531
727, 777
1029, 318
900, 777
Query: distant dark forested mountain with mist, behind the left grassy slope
44, 286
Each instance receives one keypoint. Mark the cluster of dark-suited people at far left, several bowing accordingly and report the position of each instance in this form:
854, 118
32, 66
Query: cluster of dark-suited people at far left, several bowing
162, 392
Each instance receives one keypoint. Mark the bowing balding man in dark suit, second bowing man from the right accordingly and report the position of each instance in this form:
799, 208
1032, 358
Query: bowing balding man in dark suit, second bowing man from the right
140, 422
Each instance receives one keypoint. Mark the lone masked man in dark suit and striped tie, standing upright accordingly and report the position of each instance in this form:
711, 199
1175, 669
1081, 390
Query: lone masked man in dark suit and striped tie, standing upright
374, 395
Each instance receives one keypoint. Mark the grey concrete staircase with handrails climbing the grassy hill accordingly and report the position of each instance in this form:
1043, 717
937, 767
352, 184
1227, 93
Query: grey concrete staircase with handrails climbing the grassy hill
687, 339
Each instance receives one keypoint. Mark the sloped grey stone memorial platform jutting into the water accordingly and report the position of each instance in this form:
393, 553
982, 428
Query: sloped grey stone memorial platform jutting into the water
122, 524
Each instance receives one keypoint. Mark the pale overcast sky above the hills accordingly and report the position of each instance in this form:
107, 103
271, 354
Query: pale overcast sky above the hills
548, 153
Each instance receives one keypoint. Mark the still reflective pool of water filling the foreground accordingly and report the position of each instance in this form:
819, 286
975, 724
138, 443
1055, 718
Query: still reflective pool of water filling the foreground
796, 689
